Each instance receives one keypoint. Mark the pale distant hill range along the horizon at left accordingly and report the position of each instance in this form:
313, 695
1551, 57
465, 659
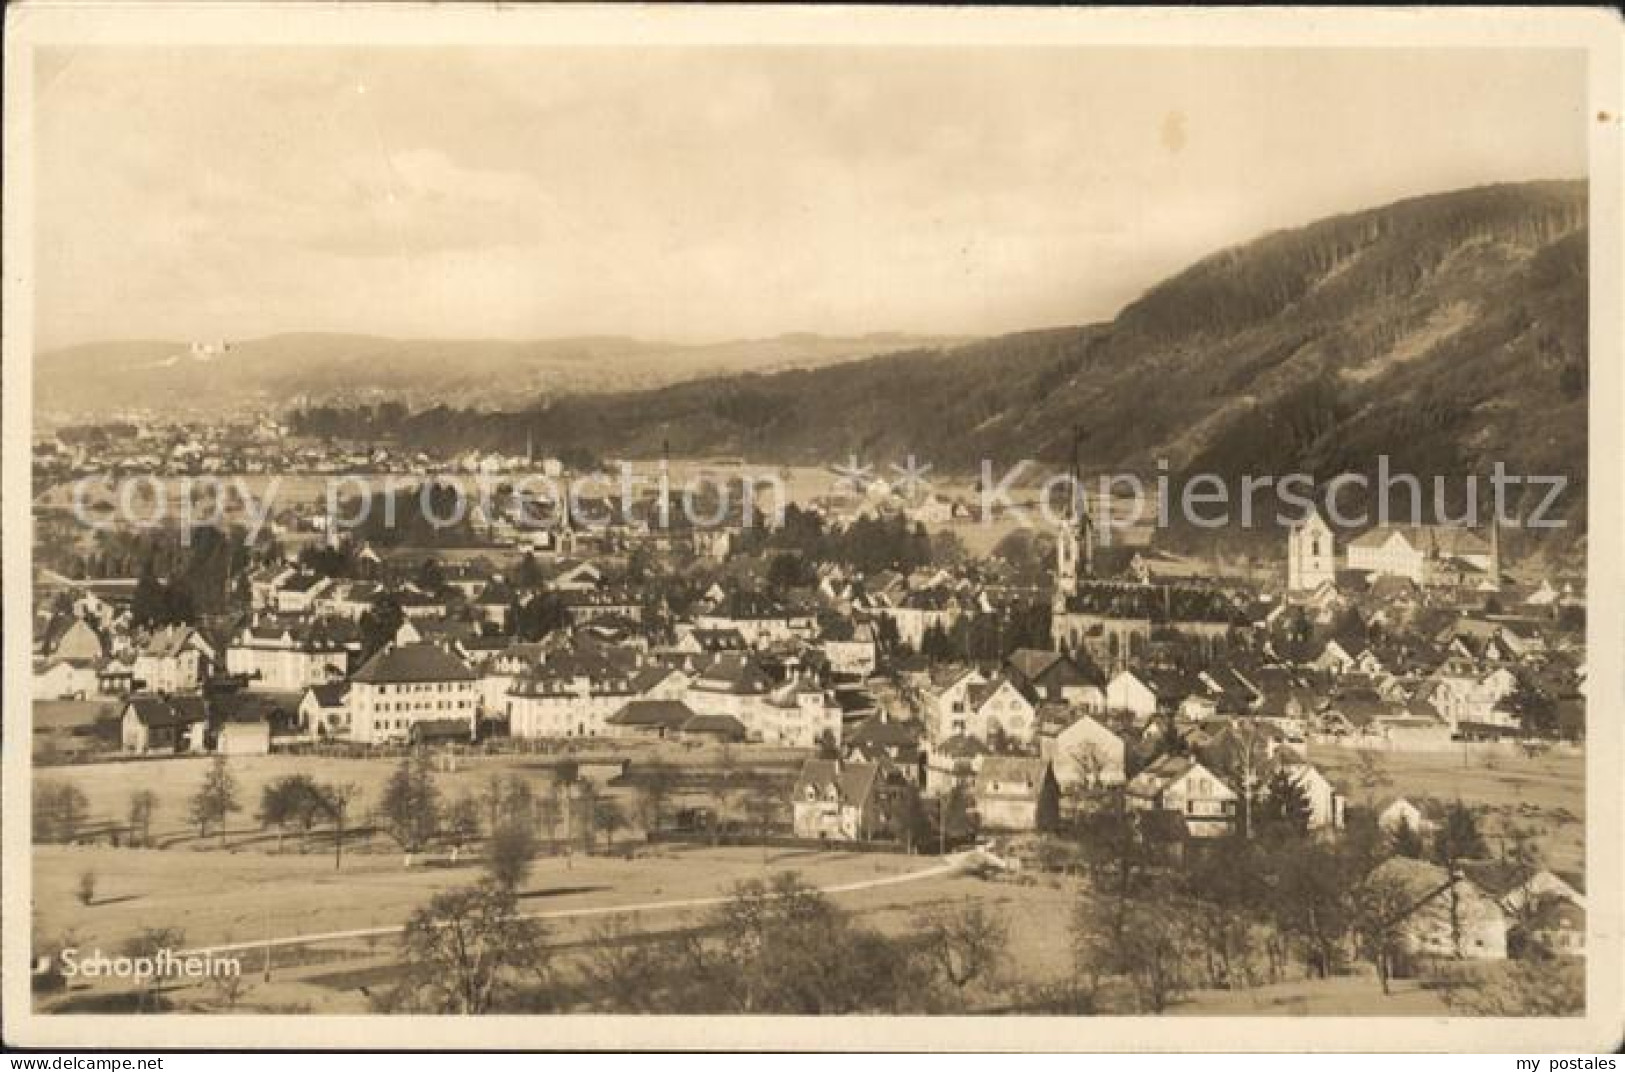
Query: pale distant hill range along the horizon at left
347, 370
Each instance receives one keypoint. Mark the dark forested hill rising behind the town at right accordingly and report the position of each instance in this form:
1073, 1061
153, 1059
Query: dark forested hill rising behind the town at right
1447, 332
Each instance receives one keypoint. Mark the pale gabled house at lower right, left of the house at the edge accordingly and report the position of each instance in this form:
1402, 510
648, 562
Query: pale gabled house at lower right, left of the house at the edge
1449, 915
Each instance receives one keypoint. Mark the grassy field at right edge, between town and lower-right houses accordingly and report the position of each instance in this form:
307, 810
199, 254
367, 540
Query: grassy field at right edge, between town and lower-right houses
1546, 793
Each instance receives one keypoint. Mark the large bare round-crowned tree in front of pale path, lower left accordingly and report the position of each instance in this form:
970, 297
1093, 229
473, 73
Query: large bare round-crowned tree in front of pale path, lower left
467, 949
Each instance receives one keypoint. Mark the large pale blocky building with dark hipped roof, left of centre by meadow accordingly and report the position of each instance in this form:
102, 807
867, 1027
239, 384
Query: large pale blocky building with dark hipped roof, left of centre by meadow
407, 685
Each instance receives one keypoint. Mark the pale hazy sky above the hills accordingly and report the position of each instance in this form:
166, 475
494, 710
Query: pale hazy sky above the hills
719, 194
